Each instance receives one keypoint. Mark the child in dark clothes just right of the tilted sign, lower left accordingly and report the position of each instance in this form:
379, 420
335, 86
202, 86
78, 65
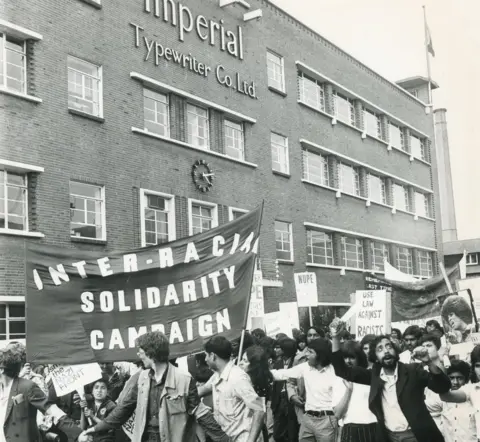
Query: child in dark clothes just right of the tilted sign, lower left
102, 407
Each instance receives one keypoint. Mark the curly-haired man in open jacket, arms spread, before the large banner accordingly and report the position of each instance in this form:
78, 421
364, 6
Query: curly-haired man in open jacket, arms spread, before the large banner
170, 402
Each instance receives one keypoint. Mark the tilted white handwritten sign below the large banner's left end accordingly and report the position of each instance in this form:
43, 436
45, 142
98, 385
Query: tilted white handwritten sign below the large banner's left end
68, 378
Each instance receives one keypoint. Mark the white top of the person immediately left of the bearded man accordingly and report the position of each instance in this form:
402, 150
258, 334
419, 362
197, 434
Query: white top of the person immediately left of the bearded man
357, 410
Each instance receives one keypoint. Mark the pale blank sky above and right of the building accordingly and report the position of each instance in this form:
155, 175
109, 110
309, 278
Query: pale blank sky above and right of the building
388, 36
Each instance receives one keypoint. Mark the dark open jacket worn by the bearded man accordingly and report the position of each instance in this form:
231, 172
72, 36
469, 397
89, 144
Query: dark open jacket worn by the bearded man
411, 384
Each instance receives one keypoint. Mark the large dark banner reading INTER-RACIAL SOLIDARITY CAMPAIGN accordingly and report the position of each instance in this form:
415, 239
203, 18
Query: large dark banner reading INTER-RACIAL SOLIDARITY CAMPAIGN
85, 306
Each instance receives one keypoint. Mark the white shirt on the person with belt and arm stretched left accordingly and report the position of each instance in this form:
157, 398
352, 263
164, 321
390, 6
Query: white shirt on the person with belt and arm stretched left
318, 384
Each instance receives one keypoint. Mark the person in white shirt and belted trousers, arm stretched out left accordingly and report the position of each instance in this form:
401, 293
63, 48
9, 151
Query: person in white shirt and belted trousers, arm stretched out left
319, 422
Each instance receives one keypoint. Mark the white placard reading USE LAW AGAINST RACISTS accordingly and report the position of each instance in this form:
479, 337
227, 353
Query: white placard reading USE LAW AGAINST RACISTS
371, 318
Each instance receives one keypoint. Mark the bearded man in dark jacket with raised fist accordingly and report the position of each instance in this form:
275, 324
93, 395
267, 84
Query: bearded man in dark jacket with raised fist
397, 390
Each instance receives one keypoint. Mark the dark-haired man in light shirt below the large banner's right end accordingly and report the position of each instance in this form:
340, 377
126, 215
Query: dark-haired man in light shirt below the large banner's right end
238, 408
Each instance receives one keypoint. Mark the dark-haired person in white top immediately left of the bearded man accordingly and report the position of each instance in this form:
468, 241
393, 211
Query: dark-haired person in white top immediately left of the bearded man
356, 421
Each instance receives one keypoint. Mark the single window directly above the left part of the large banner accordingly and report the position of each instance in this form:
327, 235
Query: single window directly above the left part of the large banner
87, 211
